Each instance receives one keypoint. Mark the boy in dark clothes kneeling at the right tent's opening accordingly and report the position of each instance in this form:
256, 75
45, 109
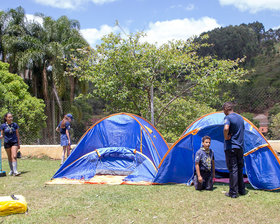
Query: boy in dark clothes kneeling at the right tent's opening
204, 166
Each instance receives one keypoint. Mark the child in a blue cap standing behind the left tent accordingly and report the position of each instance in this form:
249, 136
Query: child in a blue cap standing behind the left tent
65, 141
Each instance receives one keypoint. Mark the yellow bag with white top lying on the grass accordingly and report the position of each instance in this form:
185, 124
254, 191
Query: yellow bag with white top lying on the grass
12, 205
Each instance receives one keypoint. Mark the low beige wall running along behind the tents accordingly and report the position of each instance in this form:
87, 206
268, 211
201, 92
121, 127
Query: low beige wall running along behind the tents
55, 151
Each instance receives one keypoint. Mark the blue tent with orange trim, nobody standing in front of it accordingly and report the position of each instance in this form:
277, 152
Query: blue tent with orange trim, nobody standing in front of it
120, 144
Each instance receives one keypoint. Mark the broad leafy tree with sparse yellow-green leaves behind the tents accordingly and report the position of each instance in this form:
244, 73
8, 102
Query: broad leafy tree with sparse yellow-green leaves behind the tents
125, 71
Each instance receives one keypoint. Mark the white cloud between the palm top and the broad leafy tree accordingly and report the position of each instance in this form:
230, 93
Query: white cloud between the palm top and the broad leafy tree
93, 36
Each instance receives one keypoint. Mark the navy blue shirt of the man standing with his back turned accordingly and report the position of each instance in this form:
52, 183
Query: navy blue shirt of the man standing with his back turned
236, 131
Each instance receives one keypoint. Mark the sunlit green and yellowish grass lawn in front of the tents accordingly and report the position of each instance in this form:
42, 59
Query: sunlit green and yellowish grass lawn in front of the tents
130, 204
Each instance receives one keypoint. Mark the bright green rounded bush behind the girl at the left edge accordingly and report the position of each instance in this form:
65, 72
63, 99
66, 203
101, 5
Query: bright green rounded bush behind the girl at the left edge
27, 110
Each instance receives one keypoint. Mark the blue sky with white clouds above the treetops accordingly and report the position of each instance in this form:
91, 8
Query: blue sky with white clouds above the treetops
161, 20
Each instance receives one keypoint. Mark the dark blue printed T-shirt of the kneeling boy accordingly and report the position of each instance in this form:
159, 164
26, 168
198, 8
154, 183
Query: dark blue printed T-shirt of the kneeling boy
204, 158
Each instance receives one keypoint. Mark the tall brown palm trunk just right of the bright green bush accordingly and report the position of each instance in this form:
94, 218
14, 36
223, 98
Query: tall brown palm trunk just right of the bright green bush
47, 102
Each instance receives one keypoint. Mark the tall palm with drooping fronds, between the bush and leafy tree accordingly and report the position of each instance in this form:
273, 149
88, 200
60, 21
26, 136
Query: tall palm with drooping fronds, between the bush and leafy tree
46, 45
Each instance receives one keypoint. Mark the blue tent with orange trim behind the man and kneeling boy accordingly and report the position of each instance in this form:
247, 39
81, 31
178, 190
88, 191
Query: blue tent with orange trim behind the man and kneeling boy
262, 164
